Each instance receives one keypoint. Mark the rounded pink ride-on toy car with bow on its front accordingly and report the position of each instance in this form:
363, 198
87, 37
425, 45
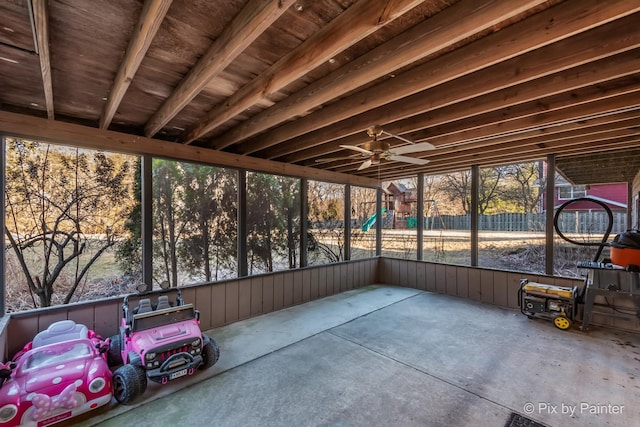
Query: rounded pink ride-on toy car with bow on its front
62, 373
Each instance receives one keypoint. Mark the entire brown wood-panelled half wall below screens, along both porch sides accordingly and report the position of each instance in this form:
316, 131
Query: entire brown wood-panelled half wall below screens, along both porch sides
227, 302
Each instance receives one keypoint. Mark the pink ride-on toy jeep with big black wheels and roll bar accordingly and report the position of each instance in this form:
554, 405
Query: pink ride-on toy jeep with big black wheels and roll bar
160, 341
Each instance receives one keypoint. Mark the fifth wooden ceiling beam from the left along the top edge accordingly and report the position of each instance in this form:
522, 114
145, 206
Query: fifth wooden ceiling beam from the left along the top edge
427, 38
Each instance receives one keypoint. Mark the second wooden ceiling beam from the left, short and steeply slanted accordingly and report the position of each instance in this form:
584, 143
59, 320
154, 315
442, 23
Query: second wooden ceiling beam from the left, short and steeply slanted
151, 16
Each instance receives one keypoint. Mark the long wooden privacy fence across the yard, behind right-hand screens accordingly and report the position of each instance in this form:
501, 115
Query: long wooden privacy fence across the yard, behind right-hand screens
569, 222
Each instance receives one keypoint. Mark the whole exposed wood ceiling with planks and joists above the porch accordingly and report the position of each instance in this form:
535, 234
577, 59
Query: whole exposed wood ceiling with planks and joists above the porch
485, 82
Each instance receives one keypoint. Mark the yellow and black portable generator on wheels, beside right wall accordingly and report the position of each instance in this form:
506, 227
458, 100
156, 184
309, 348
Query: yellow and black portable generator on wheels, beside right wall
555, 302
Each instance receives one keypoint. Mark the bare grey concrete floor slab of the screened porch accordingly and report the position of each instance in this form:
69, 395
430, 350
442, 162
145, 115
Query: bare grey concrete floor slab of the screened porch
390, 356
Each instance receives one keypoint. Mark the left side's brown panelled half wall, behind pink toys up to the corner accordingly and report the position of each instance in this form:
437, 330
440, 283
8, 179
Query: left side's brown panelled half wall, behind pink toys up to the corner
219, 303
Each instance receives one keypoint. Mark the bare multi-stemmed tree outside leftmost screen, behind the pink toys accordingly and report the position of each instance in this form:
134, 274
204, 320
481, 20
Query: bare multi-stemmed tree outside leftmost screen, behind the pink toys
65, 208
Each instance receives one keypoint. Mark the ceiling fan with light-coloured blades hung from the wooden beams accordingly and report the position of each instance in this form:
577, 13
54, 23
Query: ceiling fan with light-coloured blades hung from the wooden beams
375, 150
